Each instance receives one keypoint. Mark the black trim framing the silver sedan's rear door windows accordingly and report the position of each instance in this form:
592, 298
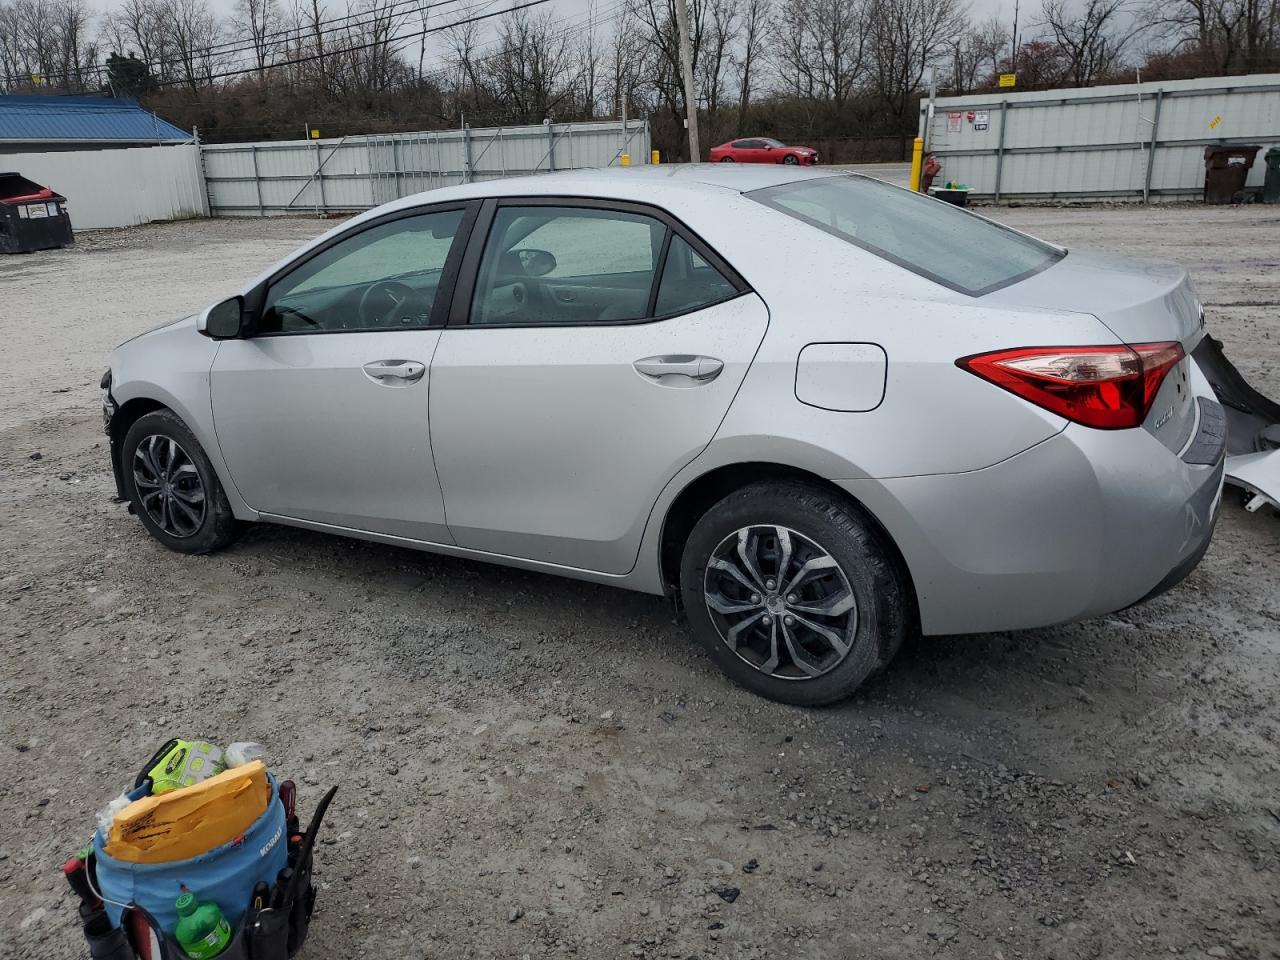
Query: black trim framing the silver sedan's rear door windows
464, 290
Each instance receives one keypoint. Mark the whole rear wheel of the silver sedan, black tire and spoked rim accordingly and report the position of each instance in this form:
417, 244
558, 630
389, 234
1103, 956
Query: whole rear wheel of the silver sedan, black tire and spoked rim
793, 593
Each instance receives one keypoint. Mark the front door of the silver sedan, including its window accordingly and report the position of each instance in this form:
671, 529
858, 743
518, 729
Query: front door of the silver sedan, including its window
322, 412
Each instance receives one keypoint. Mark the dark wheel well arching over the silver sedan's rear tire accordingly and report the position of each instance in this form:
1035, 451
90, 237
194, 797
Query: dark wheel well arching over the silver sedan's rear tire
711, 488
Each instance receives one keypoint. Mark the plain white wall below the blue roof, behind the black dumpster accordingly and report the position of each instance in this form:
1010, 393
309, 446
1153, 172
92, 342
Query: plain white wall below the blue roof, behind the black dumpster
120, 188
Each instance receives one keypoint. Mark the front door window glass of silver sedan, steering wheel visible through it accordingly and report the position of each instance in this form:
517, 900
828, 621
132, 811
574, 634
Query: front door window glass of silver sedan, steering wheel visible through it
381, 278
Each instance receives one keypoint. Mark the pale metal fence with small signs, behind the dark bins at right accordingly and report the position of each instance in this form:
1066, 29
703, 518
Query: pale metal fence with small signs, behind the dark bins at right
1137, 140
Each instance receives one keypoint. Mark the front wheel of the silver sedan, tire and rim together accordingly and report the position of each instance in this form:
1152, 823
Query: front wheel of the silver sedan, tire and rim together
198, 518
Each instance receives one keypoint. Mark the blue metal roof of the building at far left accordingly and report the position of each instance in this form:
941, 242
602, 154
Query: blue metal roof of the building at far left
45, 124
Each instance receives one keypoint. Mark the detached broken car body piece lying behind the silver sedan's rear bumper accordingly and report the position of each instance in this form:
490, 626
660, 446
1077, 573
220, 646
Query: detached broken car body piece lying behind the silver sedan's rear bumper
1252, 428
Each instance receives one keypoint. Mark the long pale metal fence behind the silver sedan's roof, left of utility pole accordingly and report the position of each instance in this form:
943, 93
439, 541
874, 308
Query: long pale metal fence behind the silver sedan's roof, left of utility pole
356, 173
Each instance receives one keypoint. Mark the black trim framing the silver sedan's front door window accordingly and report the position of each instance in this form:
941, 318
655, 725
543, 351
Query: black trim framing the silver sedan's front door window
255, 300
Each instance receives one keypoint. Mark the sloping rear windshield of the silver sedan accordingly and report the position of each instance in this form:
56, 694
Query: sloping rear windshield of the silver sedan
929, 237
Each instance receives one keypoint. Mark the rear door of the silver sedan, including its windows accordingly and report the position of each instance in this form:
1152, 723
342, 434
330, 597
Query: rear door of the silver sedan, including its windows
592, 353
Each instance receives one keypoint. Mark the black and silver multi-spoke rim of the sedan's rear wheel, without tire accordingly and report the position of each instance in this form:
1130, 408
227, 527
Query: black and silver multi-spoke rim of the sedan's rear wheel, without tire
781, 602
